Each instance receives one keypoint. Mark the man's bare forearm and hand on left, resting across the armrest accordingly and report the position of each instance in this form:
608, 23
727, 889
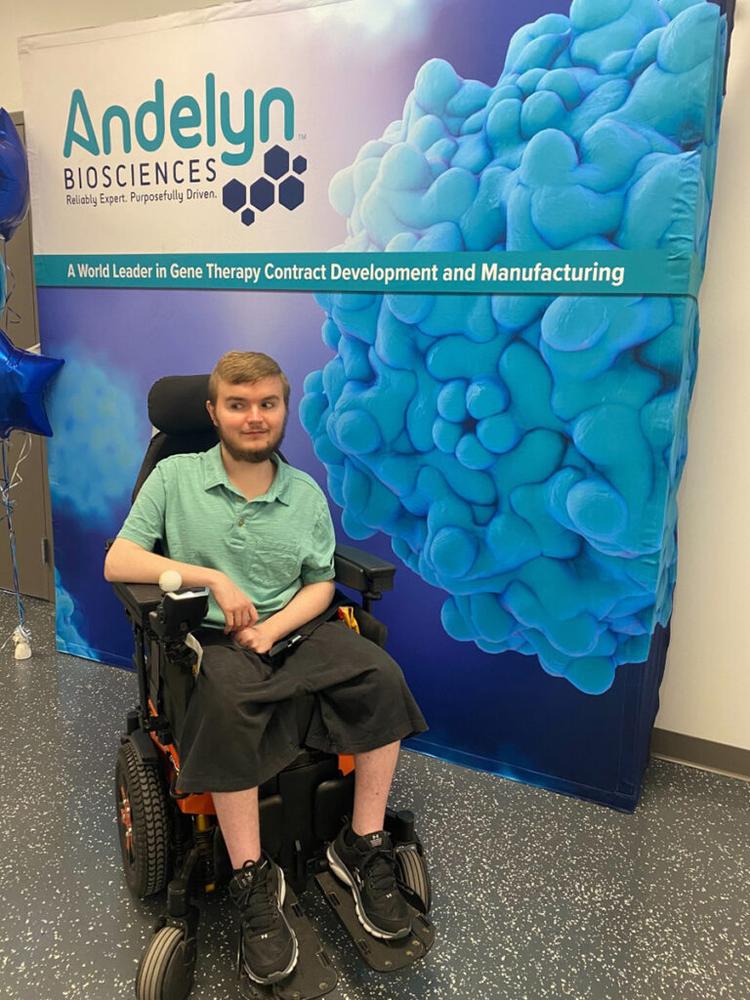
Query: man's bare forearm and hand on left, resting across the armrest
128, 562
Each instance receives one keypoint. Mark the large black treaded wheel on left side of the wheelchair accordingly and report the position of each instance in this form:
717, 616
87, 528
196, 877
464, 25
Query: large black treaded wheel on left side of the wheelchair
142, 822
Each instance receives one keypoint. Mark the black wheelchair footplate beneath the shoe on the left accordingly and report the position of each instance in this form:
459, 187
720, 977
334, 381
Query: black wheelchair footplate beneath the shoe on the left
313, 976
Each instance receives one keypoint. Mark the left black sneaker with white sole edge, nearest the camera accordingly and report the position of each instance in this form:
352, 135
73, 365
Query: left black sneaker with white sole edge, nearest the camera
269, 945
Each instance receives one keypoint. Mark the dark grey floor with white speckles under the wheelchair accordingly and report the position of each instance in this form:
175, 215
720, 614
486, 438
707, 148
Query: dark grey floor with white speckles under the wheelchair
536, 895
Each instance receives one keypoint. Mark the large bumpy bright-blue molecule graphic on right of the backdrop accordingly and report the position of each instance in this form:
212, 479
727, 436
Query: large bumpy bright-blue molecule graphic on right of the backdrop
523, 452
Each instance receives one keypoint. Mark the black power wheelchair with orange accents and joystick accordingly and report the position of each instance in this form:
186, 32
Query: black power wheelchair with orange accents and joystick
173, 841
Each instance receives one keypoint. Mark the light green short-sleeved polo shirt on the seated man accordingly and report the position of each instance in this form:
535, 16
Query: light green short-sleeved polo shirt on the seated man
270, 547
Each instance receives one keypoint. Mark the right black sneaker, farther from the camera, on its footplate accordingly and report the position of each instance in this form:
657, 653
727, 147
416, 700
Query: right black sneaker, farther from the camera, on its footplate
368, 866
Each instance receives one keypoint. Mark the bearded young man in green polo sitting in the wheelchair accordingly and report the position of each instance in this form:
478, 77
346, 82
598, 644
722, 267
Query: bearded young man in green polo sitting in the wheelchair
258, 534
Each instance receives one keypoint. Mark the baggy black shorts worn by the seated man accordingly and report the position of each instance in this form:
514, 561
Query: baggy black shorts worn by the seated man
241, 724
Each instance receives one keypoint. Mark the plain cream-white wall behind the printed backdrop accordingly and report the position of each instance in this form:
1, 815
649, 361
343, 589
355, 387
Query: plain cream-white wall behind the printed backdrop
706, 692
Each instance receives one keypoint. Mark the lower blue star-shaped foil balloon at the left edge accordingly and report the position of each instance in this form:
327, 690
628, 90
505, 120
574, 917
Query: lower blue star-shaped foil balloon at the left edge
23, 379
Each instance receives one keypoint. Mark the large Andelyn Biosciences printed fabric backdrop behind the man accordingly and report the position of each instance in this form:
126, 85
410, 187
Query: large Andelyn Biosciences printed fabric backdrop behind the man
472, 234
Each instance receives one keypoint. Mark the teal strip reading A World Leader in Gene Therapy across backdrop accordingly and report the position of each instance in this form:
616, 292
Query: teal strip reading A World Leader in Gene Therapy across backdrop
650, 272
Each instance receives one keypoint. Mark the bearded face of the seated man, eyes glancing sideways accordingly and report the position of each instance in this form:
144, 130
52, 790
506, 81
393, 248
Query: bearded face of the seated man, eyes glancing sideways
250, 418
